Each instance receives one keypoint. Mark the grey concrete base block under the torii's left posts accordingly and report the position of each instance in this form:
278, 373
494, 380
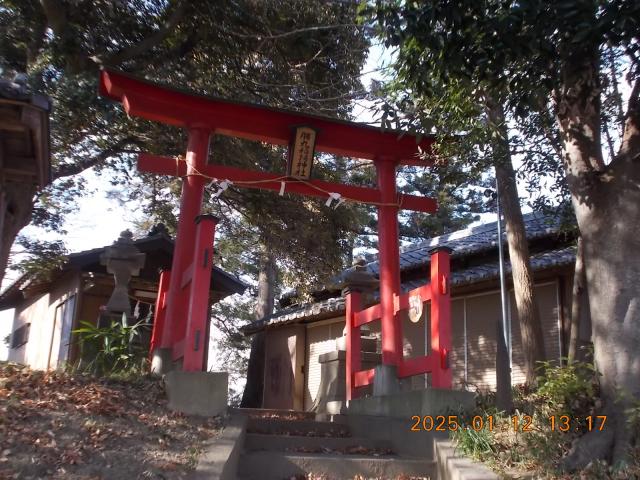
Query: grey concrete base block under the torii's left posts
197, 393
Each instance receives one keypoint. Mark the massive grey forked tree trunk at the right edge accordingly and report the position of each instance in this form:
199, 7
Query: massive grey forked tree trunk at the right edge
606, 199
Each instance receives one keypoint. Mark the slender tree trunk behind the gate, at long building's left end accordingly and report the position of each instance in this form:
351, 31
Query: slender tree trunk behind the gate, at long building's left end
252, 395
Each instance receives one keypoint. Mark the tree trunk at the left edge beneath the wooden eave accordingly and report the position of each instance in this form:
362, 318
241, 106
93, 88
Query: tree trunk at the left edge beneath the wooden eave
16, 205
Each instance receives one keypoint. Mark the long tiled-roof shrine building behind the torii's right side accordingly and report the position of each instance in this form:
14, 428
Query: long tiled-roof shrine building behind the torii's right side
300, 338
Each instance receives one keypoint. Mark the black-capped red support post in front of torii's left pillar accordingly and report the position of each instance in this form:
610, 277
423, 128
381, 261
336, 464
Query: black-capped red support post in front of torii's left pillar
197, 312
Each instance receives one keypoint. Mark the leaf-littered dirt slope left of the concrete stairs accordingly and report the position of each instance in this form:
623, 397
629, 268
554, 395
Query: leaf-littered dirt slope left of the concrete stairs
56, 425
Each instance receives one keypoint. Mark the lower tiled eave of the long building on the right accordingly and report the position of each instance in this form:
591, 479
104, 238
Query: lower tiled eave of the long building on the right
335, 306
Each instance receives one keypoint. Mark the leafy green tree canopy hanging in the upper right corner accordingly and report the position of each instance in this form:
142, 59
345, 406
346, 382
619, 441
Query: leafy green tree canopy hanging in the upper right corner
452, 56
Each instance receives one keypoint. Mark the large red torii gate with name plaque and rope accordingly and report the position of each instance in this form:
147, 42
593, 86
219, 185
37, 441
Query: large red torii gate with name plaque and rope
182, 306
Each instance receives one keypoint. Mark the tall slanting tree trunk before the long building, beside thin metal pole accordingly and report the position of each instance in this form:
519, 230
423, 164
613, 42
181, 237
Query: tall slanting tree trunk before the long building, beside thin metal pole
528, 315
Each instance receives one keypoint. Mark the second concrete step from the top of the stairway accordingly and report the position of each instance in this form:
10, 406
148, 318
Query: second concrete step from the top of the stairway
301, 428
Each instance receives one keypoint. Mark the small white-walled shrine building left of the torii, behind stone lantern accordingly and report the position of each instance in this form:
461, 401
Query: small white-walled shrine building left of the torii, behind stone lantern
48, 310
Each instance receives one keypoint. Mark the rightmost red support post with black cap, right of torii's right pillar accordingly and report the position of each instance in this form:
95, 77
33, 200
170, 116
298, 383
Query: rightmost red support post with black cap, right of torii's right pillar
441, 376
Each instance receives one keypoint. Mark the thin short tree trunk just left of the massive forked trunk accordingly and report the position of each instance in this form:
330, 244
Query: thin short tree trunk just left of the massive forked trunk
580, 322
